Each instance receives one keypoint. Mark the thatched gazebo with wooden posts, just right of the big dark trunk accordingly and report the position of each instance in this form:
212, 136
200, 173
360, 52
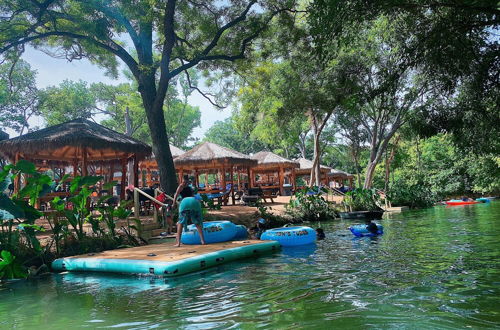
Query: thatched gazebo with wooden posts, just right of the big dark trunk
229, 166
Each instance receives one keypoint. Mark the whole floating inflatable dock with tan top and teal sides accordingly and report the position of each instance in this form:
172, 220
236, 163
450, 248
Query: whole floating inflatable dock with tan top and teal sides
165, 259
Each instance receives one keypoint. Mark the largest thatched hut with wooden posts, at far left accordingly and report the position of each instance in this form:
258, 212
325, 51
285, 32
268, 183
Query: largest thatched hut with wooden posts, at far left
77, 147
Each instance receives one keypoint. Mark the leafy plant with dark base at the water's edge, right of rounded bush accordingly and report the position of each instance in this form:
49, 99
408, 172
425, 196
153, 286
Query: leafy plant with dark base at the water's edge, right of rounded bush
362, 204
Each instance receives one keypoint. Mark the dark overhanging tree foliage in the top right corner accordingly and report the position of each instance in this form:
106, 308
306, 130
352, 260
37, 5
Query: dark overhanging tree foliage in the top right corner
454, 44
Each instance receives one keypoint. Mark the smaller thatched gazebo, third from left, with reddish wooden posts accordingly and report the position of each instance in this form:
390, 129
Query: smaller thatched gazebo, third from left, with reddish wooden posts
276, 173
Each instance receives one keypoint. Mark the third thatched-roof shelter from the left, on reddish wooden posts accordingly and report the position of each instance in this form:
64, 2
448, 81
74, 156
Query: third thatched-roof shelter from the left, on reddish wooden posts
271, 163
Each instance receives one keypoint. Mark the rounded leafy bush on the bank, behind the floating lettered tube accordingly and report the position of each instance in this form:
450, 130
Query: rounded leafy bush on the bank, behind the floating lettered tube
309, 206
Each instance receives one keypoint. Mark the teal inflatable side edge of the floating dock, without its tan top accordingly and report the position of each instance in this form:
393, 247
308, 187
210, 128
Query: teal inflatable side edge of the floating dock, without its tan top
163, 268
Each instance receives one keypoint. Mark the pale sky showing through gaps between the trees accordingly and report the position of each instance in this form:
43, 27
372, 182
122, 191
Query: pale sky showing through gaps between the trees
53, 71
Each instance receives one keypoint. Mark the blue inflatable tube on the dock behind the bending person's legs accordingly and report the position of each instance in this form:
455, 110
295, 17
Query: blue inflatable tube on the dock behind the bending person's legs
213, 231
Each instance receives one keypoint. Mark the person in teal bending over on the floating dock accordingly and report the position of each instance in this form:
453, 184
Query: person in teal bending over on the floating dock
189, 210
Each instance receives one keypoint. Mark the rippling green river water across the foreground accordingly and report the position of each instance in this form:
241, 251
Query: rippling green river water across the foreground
433, 268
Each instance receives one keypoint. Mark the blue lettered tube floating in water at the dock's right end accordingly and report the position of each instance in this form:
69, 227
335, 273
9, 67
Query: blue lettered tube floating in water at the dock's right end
290, 236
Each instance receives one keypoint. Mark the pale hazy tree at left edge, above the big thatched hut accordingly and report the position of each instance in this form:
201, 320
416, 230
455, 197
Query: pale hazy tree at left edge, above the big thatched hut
19, 95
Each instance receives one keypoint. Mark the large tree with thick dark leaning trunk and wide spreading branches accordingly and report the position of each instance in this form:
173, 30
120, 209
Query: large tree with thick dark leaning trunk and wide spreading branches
168, 38
